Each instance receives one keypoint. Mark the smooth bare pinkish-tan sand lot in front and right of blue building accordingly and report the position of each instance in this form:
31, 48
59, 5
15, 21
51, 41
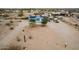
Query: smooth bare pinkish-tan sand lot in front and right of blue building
54, 36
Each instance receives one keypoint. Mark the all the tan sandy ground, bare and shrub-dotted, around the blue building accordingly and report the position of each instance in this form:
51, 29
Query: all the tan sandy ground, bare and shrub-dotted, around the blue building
16, 34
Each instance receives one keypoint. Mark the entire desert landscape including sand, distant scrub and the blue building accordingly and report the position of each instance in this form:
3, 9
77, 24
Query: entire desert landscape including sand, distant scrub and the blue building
59, 30
